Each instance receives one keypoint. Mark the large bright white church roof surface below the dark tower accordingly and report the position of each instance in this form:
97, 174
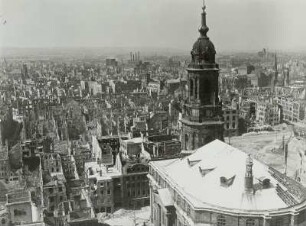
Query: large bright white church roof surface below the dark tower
226, 161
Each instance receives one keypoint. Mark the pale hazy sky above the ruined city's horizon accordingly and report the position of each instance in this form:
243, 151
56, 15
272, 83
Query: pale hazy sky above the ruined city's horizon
234, 24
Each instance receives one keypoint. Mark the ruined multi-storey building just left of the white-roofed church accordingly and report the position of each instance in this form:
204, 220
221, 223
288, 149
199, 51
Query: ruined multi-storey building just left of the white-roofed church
116, 187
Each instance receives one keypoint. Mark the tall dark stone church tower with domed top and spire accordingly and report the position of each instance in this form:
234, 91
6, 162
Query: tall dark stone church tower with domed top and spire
202, 112
